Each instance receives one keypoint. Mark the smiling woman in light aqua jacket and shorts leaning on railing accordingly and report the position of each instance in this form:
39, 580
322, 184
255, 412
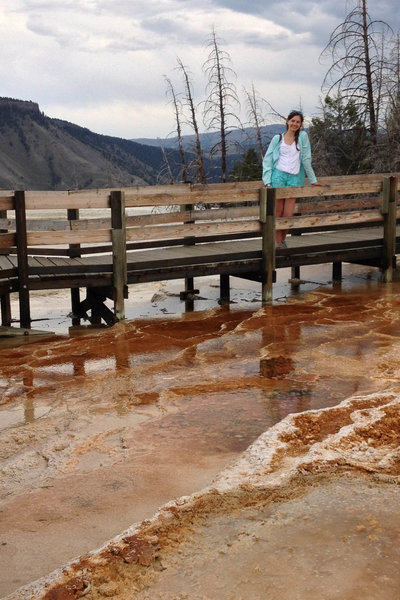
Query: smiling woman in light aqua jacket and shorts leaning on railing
286, 163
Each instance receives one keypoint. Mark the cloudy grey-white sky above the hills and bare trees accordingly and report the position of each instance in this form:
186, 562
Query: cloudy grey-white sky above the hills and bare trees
102, 63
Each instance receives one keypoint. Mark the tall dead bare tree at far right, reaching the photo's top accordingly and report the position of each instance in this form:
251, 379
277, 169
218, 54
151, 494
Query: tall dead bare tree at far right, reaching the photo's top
357, 73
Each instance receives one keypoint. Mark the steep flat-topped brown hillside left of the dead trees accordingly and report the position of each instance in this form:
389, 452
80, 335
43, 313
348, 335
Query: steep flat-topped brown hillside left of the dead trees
37, 152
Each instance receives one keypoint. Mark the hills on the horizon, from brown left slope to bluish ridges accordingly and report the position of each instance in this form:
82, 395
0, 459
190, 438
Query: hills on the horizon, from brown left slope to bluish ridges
42, 153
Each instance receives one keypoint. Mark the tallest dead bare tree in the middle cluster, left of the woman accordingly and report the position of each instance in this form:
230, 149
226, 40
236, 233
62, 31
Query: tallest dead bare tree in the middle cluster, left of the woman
222, 100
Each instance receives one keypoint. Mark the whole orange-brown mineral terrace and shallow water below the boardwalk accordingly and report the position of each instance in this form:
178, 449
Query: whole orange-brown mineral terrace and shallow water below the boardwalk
239, 452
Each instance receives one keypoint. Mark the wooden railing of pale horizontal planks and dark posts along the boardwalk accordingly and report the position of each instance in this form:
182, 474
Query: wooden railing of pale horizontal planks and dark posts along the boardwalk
177, 215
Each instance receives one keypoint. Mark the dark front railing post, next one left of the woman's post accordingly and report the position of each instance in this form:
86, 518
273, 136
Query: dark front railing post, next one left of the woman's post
118, 236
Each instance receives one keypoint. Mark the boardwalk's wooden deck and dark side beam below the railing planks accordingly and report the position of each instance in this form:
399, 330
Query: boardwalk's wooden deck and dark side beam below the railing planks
228, 257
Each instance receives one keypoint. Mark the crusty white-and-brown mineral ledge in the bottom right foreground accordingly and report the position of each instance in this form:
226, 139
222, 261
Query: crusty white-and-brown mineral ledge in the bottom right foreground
318, 483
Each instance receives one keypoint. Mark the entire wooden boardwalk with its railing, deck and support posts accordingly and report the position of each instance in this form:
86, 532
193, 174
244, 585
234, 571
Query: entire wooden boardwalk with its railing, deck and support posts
187, 232
